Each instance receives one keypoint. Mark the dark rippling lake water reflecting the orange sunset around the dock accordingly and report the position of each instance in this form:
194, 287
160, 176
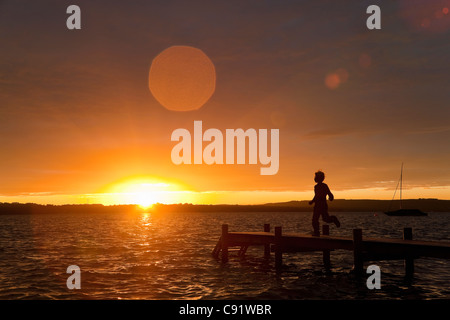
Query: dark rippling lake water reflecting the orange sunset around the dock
168, 256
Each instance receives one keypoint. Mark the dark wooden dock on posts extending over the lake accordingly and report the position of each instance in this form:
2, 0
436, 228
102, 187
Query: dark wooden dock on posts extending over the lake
364, 249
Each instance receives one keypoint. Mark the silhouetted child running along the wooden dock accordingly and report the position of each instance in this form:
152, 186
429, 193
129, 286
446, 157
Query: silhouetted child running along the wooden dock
321, 191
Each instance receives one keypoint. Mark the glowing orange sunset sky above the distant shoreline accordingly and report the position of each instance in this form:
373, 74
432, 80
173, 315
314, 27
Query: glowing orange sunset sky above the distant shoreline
78, 123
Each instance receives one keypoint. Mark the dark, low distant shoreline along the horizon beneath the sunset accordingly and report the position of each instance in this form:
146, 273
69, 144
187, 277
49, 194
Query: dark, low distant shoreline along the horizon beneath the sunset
338, 205
